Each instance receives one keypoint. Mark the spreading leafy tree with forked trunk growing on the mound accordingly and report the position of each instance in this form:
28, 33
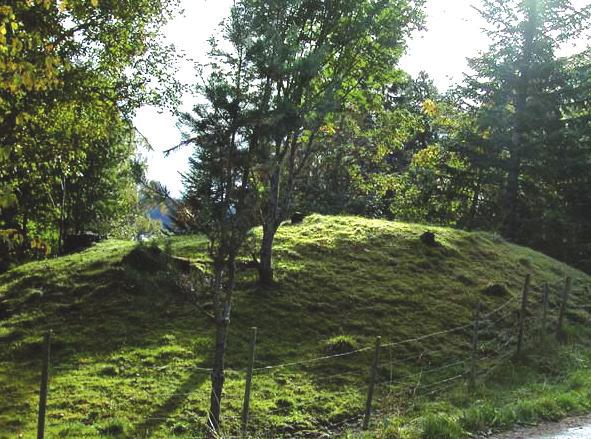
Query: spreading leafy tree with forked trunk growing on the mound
306, 57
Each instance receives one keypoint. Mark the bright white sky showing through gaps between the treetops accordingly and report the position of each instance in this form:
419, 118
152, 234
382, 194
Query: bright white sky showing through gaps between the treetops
453, 33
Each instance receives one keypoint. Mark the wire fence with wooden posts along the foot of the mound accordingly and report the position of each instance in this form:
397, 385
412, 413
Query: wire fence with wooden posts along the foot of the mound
494, 338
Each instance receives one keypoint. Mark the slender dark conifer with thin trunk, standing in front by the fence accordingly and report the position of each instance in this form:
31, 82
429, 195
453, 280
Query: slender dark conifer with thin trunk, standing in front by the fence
220, 199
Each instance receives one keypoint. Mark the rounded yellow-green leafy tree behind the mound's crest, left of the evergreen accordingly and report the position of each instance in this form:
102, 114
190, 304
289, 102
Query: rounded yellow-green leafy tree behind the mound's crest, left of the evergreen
387, 156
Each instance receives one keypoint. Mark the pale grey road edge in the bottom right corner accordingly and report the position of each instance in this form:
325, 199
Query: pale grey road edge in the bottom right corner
571, 428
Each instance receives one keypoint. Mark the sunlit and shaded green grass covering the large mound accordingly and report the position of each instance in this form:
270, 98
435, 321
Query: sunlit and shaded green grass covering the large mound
129, 344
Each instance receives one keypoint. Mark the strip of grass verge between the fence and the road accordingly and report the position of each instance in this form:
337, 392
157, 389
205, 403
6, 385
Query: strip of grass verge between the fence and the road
519, 393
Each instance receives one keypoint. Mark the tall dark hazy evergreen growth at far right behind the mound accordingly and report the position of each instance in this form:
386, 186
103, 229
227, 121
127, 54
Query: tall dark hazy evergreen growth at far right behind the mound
526, 145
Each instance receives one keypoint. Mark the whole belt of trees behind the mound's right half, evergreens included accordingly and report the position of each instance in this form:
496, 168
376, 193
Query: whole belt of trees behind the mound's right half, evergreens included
507, 151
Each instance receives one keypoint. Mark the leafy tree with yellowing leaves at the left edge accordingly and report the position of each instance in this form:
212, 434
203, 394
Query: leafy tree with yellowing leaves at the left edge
71, 74
